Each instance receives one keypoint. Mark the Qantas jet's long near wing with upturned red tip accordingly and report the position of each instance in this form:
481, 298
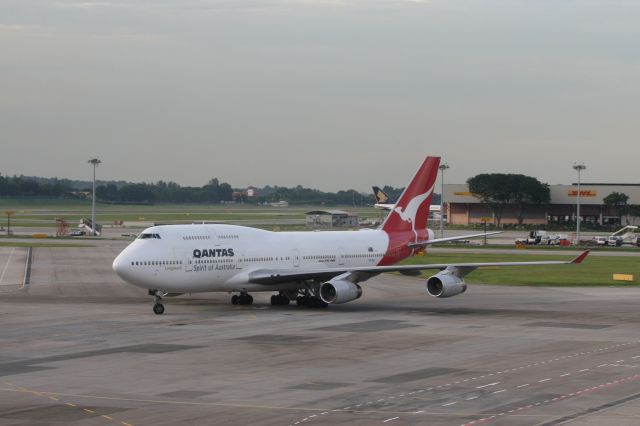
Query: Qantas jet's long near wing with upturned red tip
362, 273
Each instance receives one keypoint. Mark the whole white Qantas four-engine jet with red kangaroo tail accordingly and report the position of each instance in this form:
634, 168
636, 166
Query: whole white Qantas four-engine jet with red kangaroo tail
313, 268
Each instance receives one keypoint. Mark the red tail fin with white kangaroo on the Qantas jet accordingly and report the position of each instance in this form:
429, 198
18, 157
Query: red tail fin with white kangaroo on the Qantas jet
412, 209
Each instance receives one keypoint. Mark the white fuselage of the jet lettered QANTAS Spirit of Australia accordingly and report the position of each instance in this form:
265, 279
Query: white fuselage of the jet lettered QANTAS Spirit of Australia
202, 258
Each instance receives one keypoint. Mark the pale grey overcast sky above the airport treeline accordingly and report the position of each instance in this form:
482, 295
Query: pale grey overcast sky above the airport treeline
328, 94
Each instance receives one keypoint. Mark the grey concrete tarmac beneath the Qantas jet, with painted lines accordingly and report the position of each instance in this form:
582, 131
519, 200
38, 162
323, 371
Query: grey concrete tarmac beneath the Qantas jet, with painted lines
79, 346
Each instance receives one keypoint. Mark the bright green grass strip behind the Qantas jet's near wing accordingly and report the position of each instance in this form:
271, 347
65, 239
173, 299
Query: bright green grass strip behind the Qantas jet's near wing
594, 271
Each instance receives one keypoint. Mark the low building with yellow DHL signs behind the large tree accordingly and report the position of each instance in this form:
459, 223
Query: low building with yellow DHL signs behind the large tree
463, 208
